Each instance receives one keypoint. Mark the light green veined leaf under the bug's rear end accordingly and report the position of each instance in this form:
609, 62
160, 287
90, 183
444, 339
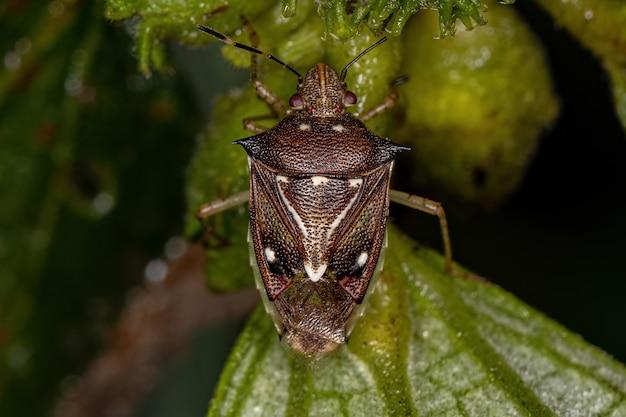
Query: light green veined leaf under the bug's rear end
428, 345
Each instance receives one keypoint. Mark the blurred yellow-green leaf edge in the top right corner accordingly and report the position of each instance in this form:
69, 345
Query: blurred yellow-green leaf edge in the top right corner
601, 27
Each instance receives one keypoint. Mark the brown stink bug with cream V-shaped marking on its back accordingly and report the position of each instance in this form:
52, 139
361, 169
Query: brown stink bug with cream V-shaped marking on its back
319, 199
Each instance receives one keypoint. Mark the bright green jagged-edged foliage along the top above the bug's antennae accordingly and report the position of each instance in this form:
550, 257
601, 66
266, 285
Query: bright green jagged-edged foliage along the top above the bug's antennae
281, 23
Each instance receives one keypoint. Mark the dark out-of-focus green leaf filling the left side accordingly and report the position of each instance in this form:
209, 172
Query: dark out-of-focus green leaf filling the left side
76, 119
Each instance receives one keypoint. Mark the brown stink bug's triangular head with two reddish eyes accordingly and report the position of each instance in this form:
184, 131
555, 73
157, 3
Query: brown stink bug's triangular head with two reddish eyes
322, 93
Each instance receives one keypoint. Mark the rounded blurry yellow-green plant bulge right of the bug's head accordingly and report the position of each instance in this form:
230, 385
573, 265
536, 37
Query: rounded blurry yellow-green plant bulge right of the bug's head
476, 105
